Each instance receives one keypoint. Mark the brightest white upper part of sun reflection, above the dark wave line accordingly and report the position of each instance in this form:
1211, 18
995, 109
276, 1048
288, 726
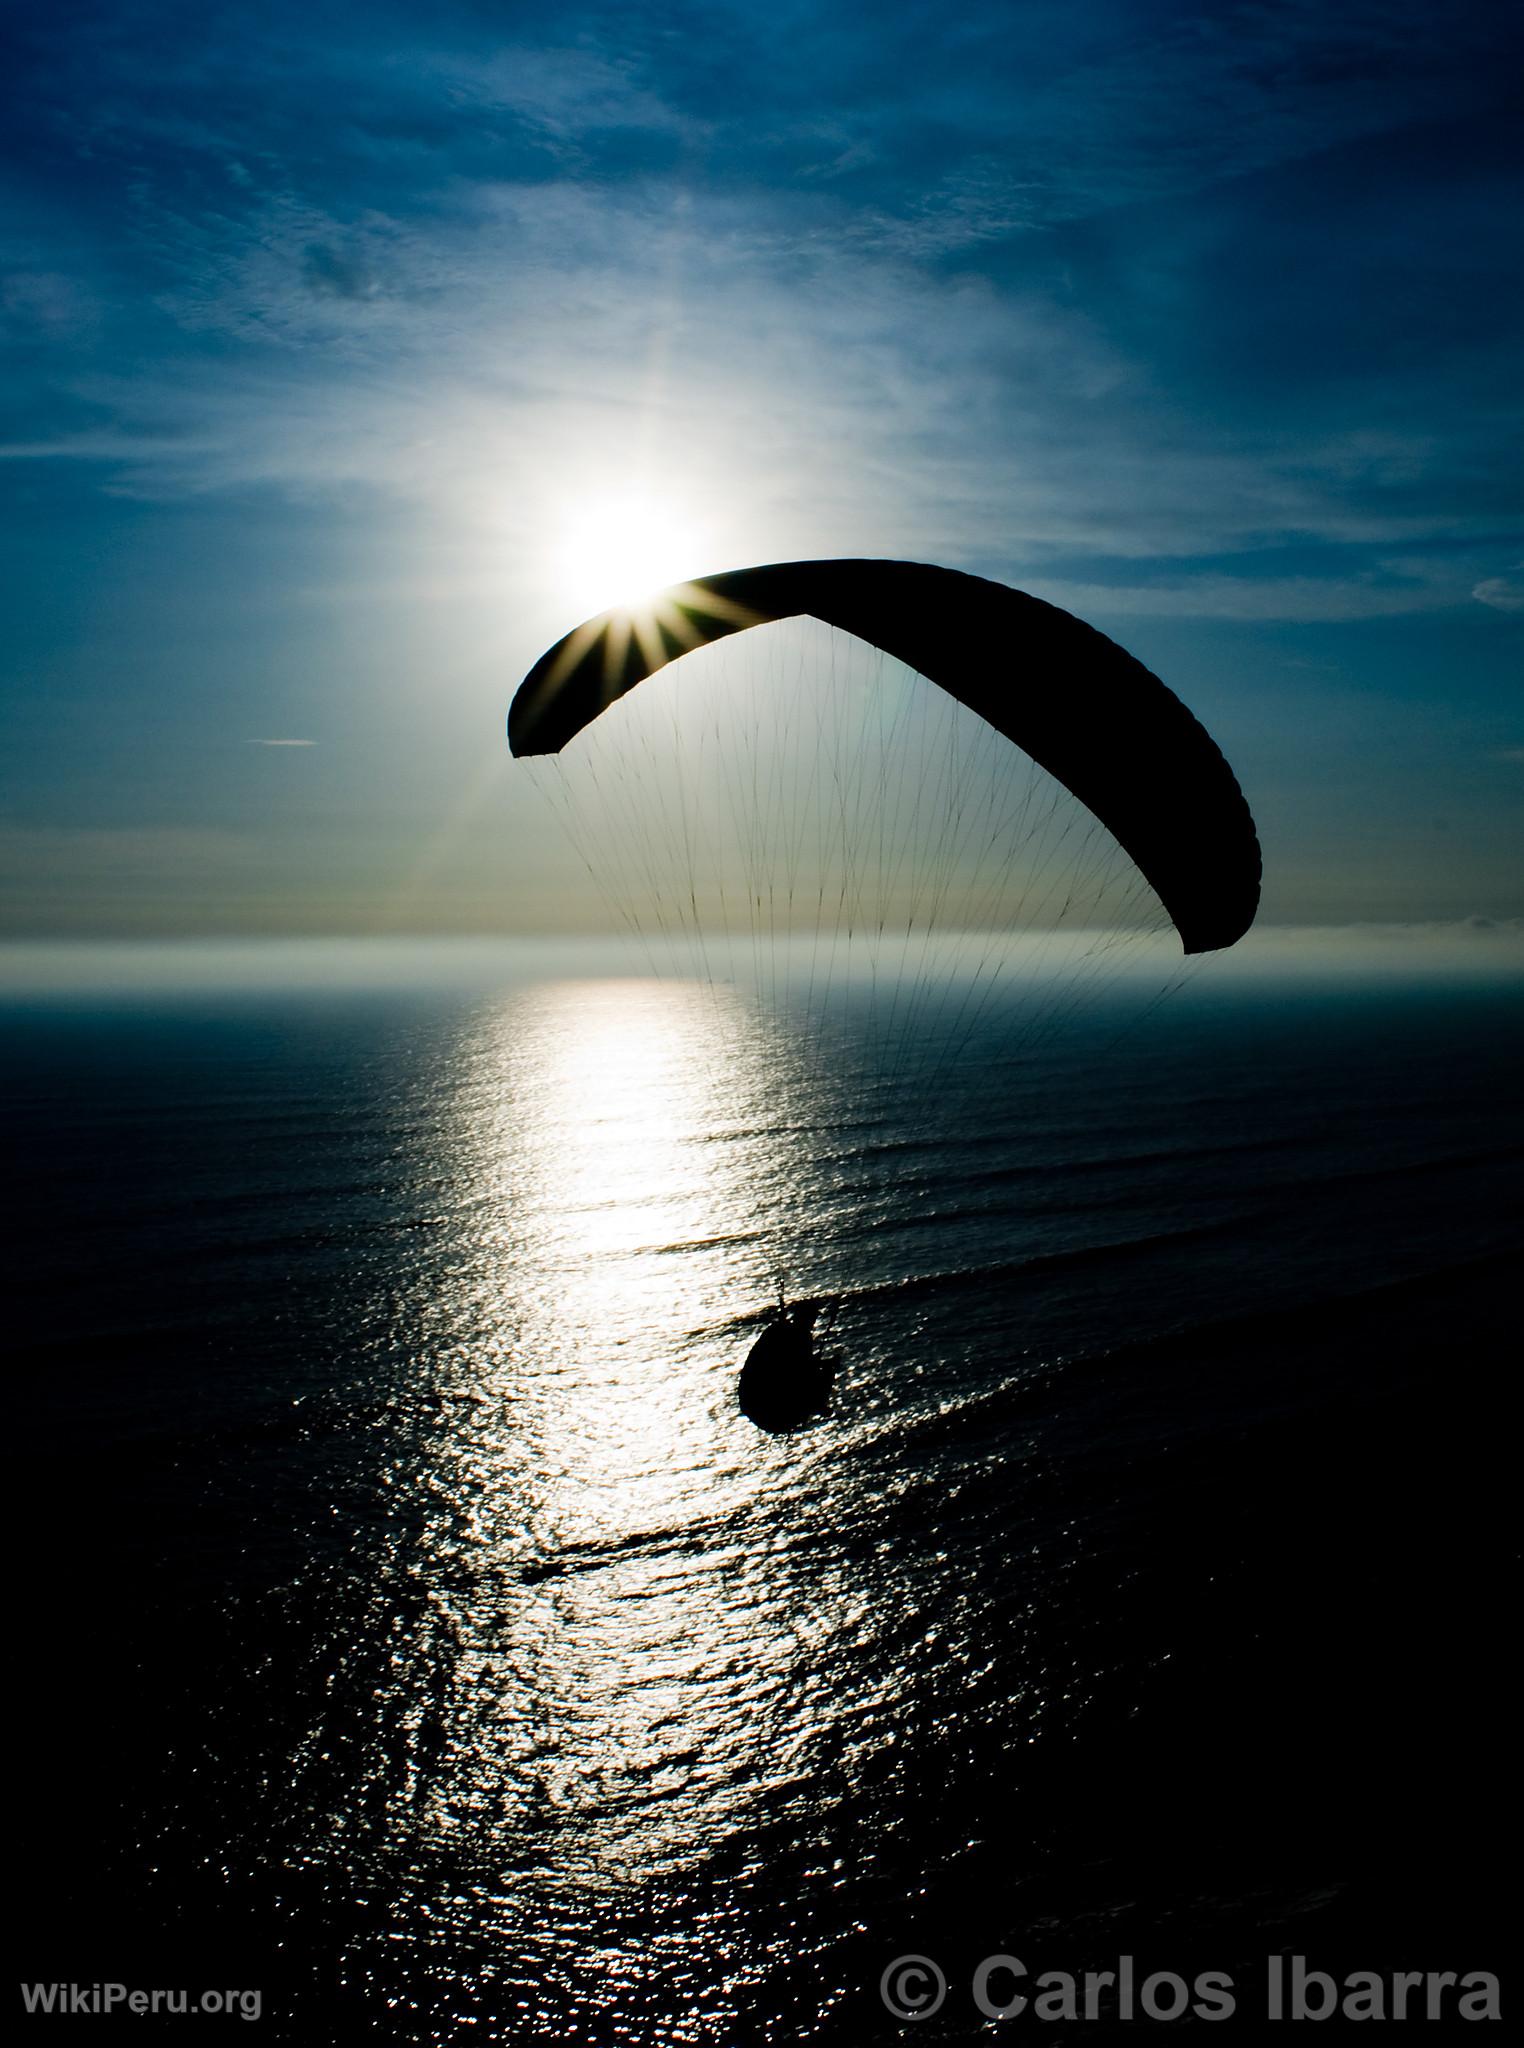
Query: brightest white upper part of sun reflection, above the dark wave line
624, 1148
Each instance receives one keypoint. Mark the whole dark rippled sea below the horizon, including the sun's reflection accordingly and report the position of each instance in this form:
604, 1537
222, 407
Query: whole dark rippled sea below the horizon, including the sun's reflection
411, 1627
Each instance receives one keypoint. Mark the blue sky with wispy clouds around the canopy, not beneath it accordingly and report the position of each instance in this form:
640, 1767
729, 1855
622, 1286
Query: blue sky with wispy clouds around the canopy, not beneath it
323, 323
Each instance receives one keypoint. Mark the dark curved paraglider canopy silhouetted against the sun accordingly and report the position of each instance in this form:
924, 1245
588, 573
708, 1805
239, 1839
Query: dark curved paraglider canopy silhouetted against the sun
1074, 701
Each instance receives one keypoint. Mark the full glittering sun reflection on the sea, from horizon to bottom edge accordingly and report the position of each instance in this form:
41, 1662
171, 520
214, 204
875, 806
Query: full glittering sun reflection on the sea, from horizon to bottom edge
626, 1678
